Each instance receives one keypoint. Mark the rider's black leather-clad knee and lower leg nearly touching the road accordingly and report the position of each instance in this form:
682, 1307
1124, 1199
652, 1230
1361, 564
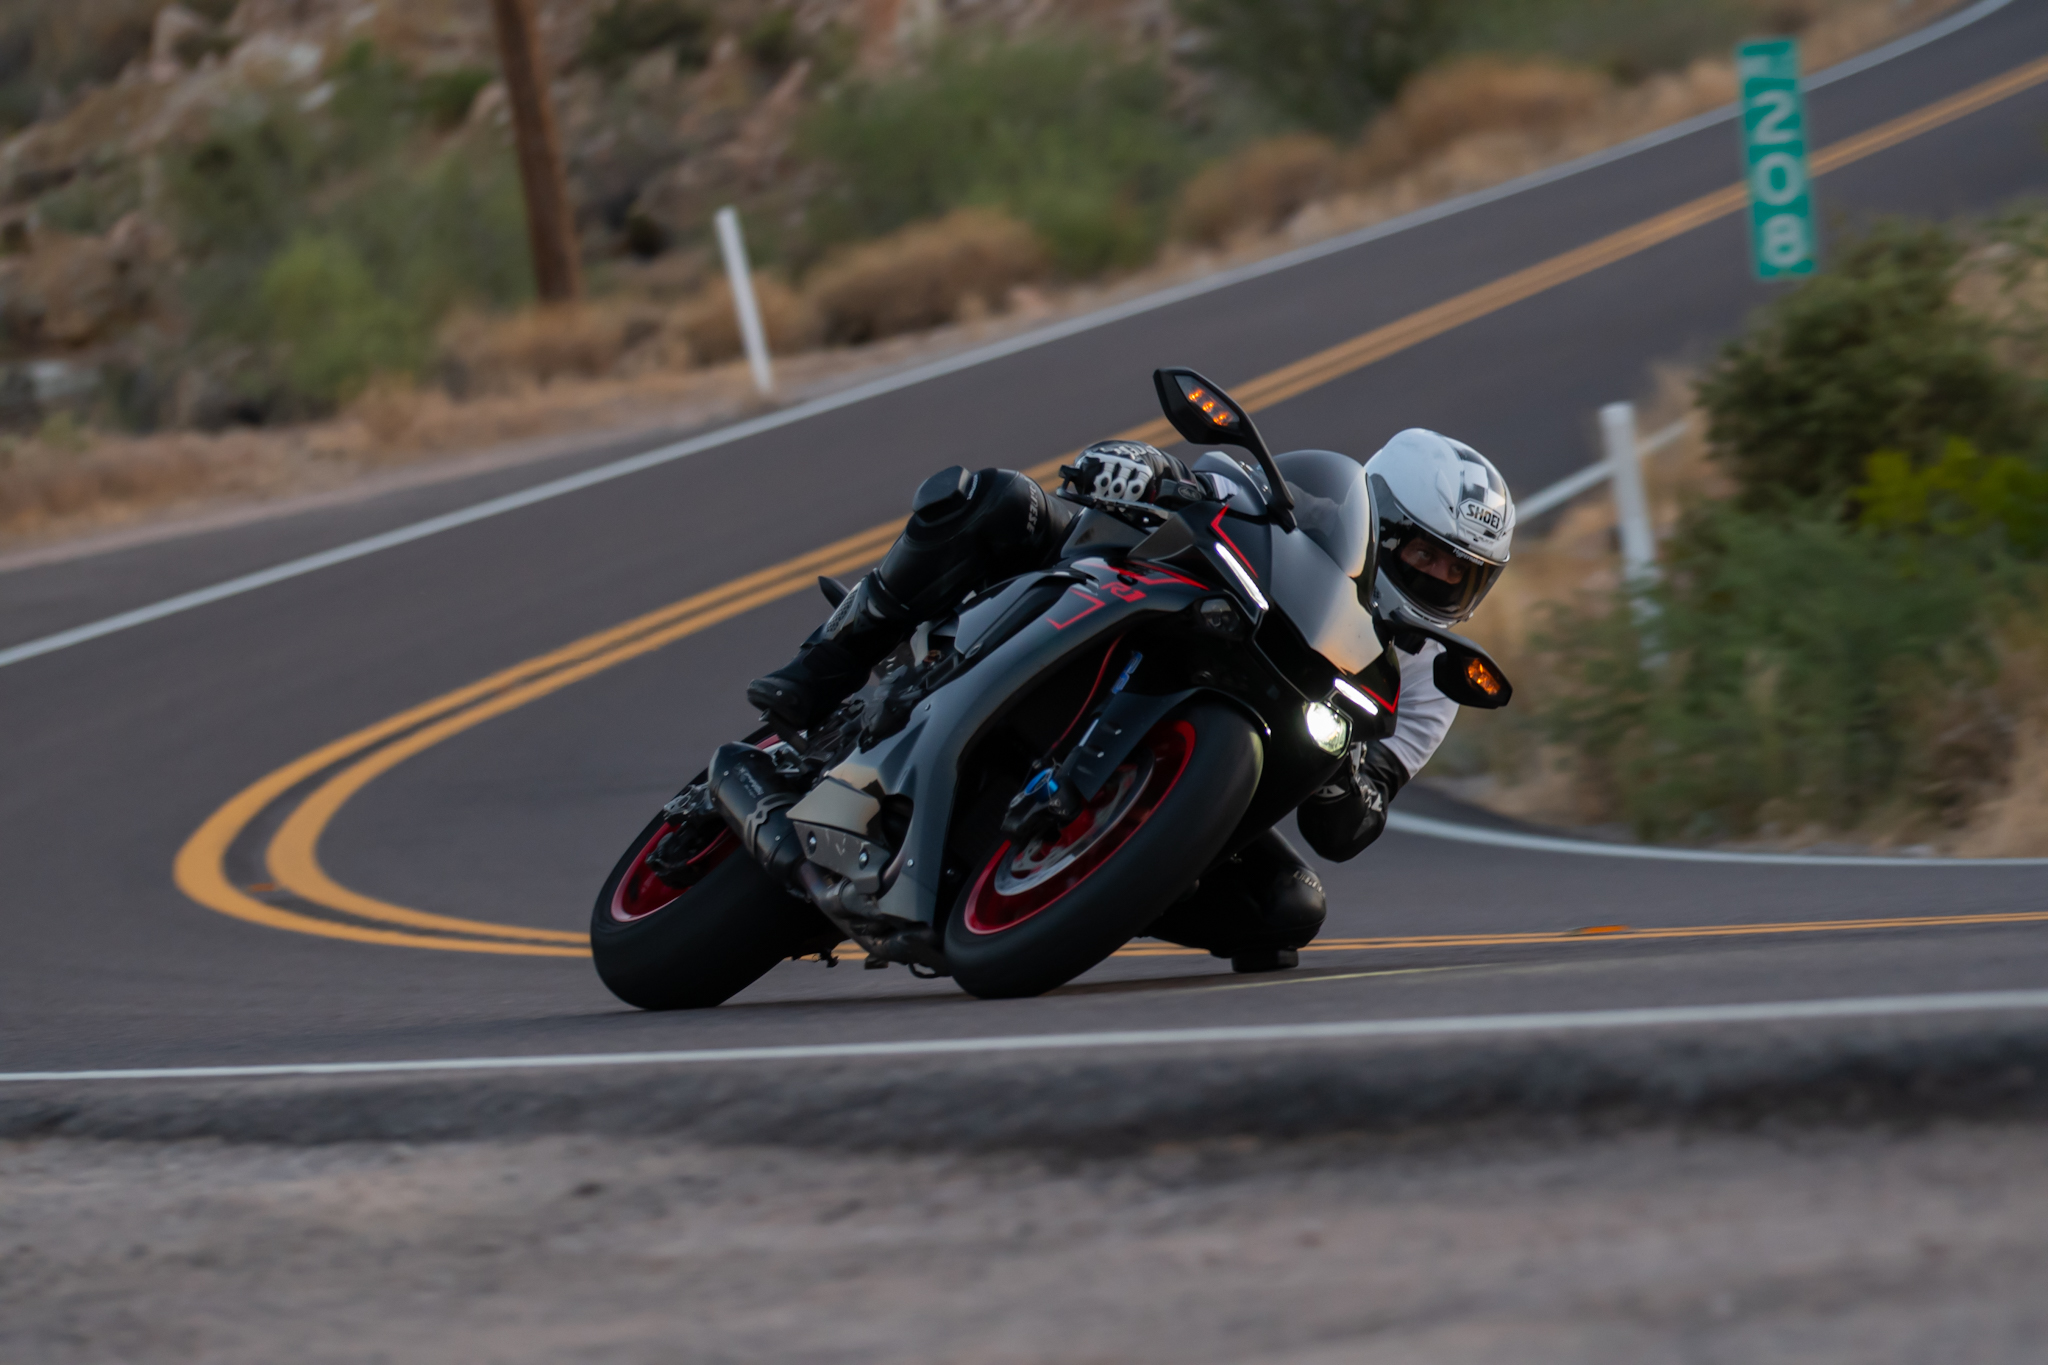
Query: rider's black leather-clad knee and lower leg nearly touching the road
1256, 908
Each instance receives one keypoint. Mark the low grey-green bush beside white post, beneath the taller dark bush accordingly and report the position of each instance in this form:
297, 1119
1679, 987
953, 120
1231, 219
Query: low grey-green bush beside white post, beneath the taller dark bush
1785, 678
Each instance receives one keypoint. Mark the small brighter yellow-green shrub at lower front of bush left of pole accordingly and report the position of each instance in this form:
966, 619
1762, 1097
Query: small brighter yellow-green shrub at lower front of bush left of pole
333, 328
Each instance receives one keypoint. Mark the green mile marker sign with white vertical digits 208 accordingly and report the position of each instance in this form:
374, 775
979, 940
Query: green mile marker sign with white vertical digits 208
1775, 146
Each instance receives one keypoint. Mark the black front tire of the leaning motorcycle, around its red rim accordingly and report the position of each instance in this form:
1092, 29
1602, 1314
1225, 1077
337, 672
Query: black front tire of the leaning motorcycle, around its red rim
1115, 887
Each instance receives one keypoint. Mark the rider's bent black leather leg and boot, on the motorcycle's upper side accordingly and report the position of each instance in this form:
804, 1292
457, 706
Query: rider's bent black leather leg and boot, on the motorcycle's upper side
966, 531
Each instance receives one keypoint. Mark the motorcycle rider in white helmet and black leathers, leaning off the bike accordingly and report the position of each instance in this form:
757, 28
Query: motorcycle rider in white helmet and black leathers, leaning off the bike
1443, 523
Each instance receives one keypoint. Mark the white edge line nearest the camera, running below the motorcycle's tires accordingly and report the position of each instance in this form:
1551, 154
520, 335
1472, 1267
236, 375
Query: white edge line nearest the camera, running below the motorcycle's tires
1451, 1026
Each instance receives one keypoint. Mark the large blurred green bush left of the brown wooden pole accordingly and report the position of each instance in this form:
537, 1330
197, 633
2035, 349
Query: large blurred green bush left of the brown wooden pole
284, 212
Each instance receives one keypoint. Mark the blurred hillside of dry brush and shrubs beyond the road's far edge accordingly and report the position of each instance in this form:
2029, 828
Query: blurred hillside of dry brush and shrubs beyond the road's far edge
249, 218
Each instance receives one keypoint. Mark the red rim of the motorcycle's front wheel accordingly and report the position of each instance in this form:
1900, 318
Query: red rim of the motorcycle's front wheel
1023, 883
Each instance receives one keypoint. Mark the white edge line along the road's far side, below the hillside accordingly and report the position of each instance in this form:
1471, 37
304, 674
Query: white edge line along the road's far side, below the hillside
663, 455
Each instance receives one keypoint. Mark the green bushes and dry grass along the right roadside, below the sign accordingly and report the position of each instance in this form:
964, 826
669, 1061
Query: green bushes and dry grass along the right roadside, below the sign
1850, 631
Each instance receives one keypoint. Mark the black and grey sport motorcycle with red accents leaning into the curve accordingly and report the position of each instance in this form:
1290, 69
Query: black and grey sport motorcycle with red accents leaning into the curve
1035, 779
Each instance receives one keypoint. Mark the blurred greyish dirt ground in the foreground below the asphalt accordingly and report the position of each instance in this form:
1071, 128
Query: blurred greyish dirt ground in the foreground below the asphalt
1639, 1249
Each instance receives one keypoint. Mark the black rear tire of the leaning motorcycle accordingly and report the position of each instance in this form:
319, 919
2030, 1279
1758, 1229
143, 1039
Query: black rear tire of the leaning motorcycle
708, 944
